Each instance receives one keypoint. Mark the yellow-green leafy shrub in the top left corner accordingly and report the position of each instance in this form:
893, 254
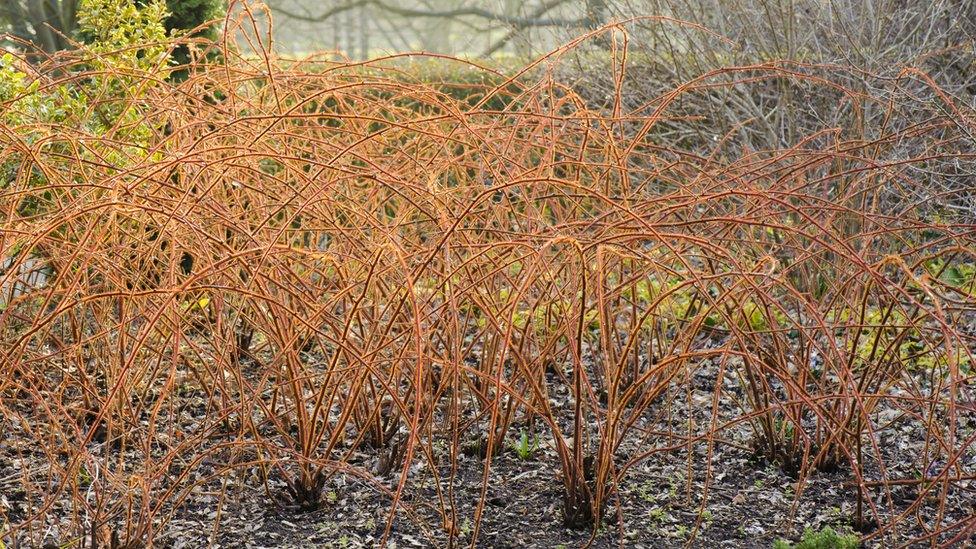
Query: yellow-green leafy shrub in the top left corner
126, 55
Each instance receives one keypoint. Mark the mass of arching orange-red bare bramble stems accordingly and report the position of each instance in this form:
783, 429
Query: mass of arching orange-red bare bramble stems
267, 270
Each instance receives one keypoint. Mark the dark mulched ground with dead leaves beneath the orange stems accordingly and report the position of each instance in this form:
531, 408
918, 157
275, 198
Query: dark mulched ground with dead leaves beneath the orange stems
749, 503
